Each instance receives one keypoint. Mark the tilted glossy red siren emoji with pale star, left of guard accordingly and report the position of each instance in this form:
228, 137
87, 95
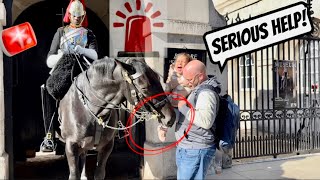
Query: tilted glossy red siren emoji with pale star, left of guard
17, 39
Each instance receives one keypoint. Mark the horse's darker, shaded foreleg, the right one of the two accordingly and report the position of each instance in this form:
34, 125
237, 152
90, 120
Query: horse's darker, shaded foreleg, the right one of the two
102, 158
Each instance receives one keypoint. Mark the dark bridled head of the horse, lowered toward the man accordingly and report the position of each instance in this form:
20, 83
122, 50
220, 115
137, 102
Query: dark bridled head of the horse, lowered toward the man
144, 83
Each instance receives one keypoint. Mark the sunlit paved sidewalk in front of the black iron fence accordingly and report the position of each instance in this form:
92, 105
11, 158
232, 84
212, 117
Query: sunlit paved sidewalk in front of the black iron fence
295, 167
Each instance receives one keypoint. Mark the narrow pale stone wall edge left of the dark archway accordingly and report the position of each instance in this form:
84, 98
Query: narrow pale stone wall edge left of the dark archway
4, 157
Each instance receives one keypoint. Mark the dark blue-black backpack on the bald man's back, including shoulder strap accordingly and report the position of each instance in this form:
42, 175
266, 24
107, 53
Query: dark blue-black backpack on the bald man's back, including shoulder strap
227, 120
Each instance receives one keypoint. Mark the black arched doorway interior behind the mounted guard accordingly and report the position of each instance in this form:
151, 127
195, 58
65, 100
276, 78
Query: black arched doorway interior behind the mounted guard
30, 71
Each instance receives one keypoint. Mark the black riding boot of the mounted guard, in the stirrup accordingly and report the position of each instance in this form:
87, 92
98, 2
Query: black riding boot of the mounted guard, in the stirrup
48, 112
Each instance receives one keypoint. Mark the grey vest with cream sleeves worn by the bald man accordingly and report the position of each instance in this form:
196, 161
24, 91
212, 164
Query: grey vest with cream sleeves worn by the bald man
200, 134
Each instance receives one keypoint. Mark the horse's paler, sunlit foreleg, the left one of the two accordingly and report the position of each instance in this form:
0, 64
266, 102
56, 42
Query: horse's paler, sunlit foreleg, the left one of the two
72, 152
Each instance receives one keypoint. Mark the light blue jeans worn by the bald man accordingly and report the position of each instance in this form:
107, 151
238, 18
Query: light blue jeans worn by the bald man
194, 163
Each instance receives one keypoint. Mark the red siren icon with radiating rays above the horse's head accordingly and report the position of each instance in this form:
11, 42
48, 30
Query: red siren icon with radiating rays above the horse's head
138, 27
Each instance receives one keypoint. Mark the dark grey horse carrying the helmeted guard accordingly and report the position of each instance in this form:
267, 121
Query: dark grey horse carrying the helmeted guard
91, 100
